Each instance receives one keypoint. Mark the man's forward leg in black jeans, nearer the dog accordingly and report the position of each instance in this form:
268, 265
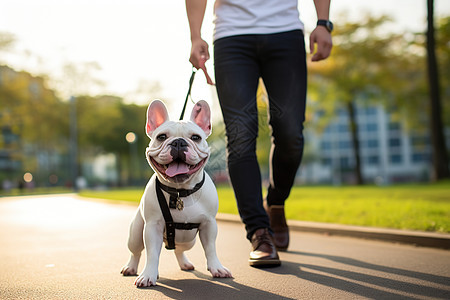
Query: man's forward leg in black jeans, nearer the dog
237, 74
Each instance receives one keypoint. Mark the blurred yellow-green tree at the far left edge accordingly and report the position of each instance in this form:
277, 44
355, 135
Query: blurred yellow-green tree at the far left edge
32, 114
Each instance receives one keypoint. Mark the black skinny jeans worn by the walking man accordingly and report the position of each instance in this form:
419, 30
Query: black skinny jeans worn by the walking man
280, 60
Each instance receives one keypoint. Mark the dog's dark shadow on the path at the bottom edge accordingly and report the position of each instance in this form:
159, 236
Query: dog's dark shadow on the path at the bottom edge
205, 287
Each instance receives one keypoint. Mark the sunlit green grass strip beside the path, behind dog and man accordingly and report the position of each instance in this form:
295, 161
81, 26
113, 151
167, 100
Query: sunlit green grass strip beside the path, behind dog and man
424, 207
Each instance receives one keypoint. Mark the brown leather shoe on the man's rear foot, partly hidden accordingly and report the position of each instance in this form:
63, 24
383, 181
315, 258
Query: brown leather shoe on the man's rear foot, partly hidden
279, 226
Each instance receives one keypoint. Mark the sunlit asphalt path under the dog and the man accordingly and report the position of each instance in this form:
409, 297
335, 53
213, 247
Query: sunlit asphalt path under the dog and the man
61, 247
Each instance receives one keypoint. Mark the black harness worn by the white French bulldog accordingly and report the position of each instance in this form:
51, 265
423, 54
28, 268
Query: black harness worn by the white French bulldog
174, 202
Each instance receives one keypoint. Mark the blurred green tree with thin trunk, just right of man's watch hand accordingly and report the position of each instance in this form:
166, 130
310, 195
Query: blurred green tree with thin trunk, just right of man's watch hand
355, 71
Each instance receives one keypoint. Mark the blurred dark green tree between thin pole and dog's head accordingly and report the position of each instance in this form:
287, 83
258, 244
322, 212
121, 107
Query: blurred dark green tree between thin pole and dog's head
103, 122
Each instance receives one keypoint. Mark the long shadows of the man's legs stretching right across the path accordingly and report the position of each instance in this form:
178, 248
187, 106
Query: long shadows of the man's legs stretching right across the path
363, 284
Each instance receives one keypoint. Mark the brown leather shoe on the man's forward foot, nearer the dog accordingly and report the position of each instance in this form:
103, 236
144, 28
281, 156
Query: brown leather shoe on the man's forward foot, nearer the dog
264, 253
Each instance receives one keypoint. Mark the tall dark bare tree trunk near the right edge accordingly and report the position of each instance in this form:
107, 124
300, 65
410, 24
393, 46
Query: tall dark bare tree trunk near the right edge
440, 157
